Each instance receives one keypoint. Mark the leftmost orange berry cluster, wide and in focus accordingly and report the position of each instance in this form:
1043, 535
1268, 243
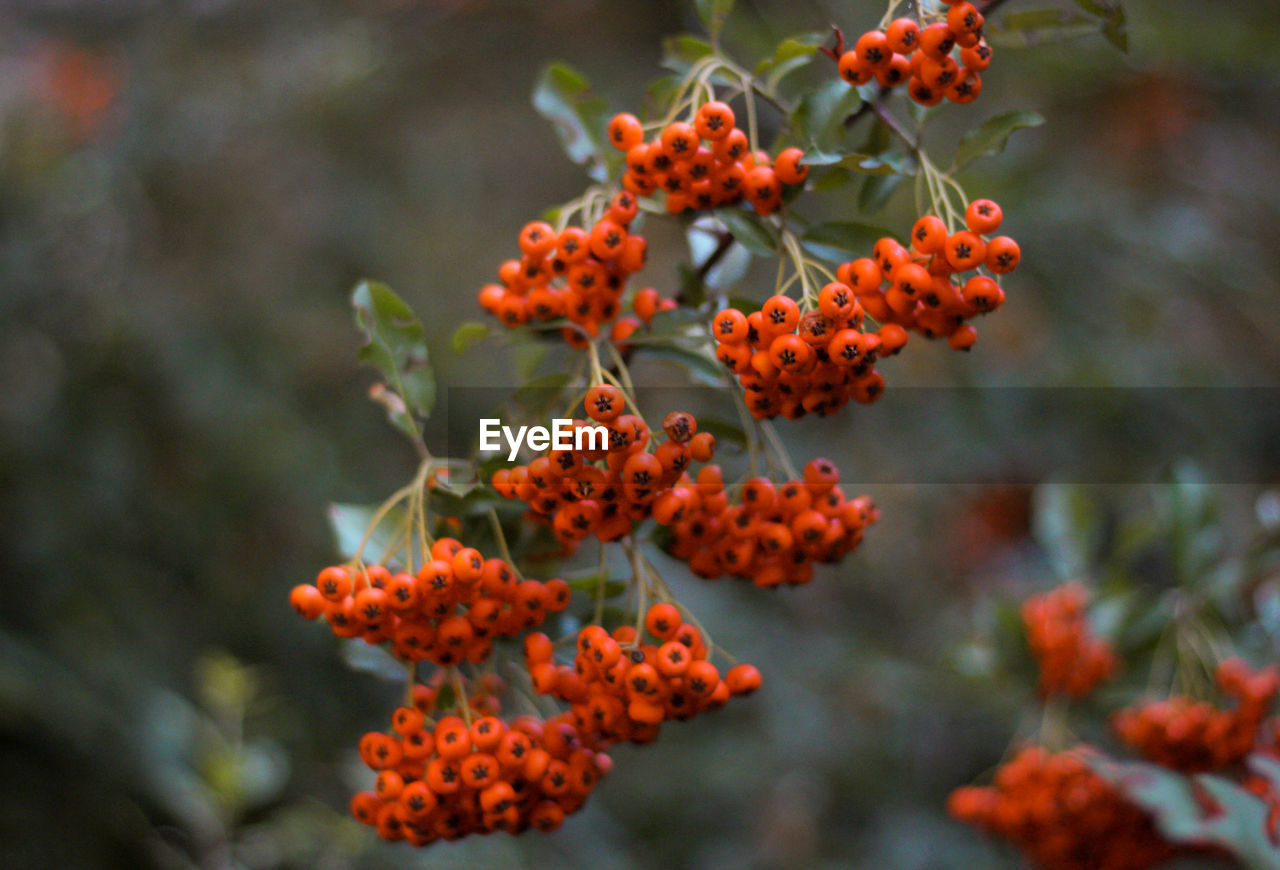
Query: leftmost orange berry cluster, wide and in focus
446, 613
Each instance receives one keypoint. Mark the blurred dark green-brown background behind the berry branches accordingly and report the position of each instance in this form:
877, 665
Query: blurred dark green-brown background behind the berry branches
190, 190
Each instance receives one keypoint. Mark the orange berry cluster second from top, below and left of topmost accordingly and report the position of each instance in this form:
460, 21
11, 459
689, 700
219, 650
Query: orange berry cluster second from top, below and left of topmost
705, 163
